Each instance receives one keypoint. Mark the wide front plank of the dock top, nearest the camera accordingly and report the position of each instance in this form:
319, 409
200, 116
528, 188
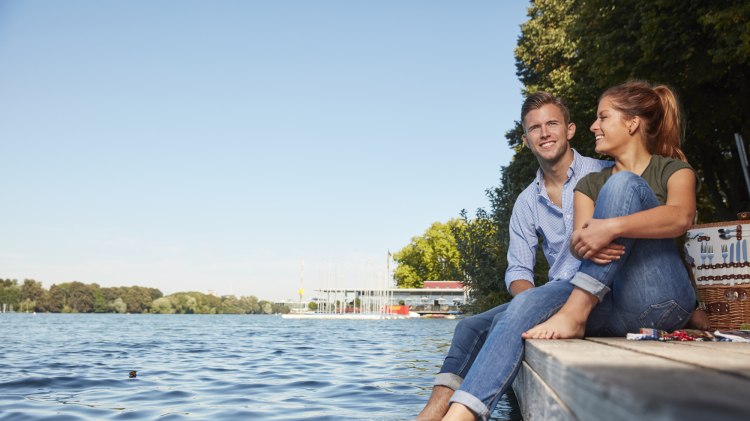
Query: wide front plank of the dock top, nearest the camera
598, 381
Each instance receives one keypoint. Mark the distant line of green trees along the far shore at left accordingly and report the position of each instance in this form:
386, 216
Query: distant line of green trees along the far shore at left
77, 297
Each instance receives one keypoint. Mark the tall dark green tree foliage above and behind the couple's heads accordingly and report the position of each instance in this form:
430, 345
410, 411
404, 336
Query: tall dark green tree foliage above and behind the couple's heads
578, 48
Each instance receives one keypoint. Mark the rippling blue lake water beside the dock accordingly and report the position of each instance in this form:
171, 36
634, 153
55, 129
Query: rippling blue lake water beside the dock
76, 366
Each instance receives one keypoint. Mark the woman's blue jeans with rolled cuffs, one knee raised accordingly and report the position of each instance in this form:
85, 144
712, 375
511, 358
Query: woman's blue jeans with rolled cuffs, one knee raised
647, 287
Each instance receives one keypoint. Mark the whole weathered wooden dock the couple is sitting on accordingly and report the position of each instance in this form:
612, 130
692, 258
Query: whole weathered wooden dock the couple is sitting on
616, 379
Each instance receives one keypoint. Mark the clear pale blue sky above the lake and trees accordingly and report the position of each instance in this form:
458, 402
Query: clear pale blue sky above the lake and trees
245, 147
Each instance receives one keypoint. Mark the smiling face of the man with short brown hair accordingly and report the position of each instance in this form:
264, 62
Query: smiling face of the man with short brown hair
546, 134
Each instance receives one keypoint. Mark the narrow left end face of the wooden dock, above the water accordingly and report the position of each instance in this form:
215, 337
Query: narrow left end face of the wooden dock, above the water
537, 400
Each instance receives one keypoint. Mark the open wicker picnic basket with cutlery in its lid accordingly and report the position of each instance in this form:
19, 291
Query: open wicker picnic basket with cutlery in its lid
717, 253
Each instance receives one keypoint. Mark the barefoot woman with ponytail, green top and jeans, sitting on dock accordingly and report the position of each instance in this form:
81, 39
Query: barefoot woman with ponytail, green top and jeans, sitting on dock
625, 220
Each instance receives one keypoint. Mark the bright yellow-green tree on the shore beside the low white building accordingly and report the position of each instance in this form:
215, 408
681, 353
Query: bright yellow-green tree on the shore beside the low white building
430, 257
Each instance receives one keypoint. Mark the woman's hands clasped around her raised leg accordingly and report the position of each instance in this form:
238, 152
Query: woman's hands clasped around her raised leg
594, 241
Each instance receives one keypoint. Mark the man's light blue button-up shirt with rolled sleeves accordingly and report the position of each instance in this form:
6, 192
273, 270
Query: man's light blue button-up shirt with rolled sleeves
535, 216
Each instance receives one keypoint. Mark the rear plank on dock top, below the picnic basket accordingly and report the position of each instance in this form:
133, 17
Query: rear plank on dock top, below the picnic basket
716, 356
